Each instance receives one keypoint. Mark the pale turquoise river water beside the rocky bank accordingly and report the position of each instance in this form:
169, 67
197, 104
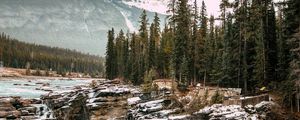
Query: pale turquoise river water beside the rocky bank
27, 88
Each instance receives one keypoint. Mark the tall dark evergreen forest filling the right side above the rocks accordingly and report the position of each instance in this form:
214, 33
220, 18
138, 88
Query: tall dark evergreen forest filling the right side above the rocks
249, 46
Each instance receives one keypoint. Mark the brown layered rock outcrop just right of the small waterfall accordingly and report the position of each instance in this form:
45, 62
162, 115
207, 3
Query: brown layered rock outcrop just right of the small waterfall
106, 101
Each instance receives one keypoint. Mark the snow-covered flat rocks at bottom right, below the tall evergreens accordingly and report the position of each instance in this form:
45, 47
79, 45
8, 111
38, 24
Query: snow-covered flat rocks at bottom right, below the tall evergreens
157, 110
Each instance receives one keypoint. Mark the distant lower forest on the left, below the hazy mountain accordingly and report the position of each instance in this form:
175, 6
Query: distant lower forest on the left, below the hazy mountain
16, 54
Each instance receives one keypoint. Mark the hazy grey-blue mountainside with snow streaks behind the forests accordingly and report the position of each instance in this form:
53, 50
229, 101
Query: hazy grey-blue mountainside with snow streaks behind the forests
73, 24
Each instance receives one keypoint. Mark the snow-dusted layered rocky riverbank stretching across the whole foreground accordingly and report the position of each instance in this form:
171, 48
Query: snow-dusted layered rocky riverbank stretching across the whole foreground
113, 99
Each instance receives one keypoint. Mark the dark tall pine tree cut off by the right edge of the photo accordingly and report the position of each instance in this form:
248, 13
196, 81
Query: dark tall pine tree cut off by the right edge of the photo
292, 33
